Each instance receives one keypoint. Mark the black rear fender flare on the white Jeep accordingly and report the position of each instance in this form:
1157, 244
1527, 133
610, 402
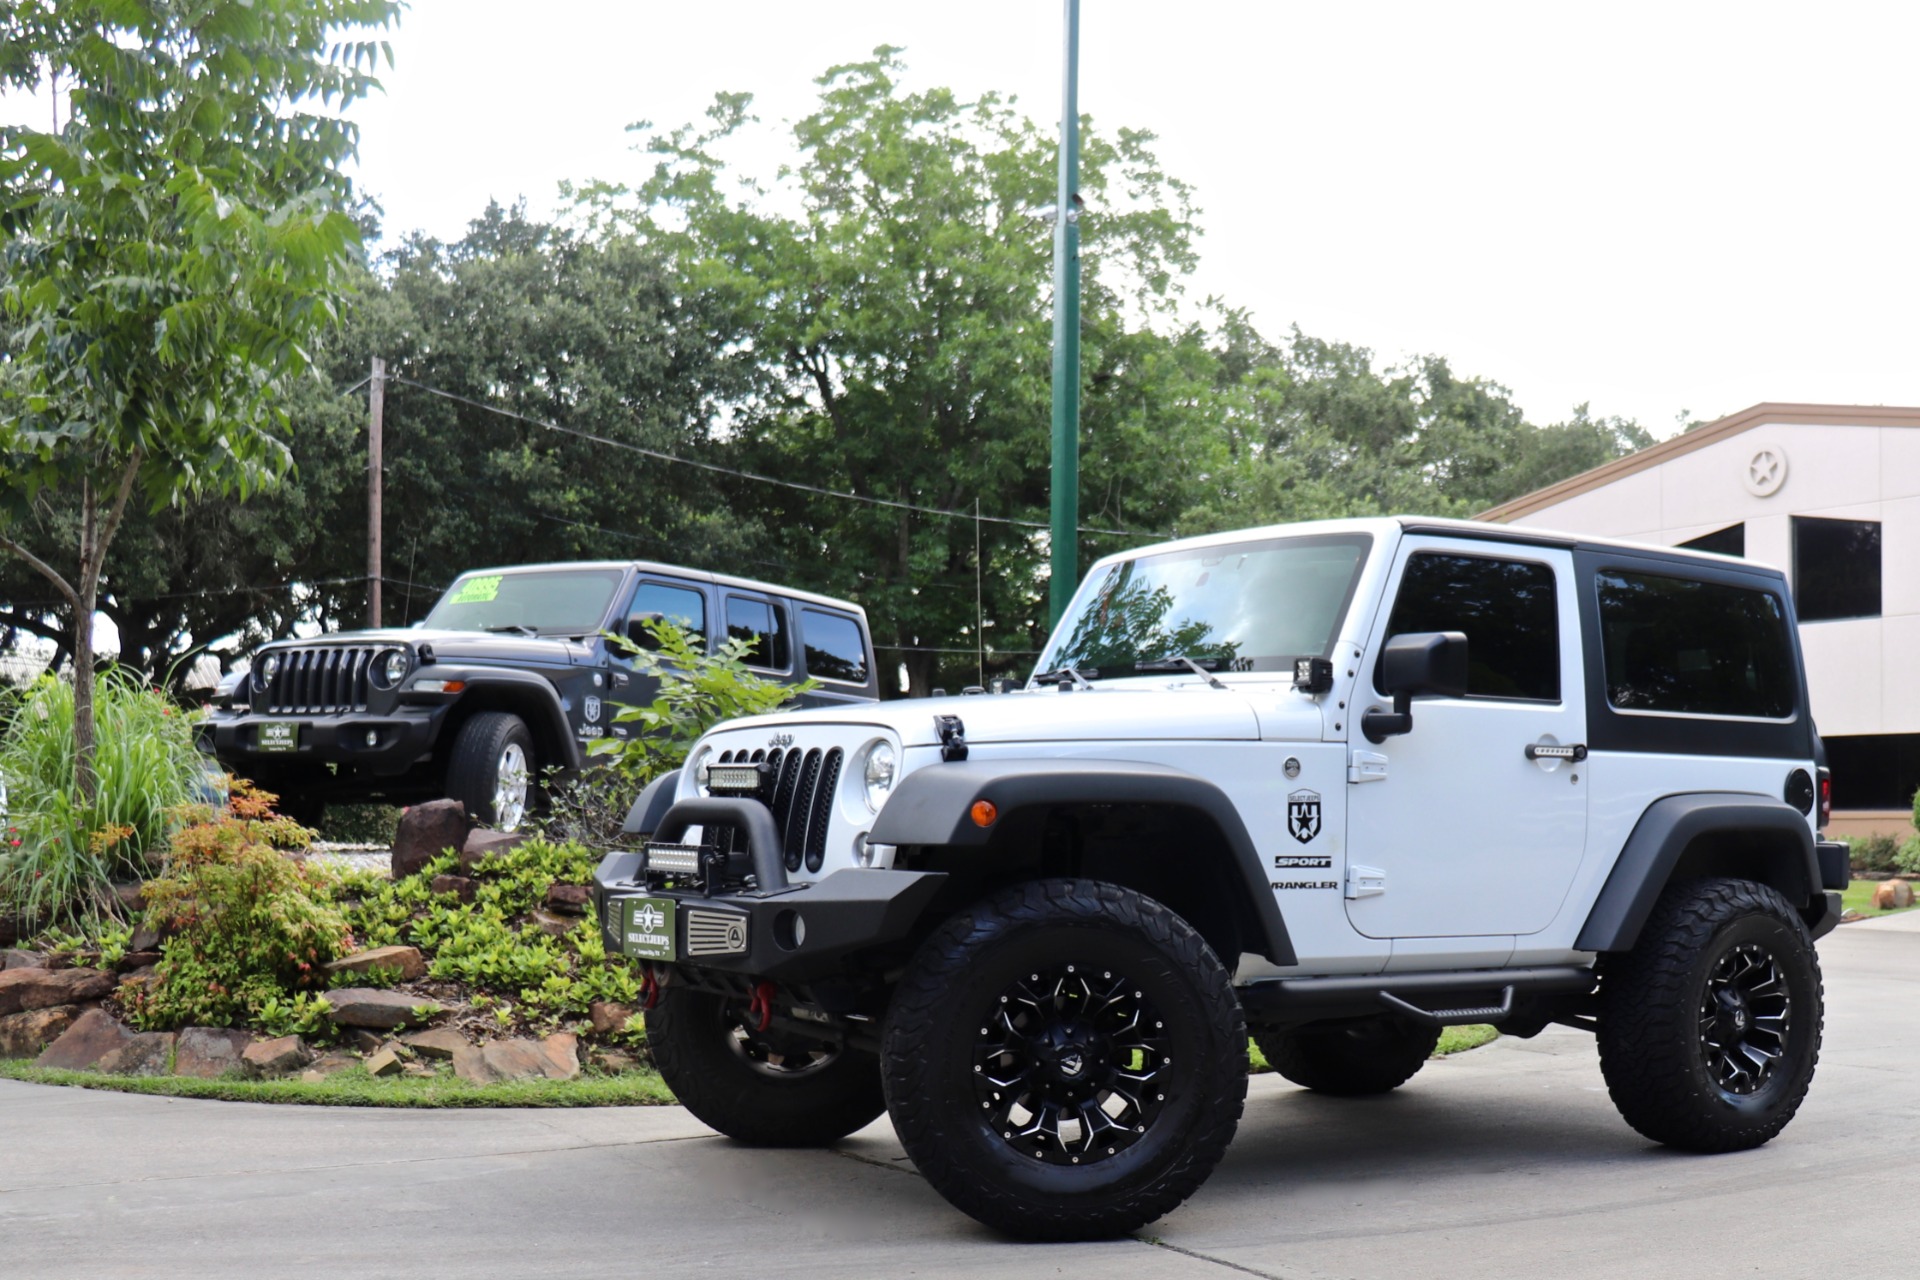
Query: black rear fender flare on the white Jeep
1666, 832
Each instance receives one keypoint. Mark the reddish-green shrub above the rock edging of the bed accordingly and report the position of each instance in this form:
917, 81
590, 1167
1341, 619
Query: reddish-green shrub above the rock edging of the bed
251, 926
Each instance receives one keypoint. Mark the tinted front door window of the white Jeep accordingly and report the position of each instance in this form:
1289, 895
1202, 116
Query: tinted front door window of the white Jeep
1504, 607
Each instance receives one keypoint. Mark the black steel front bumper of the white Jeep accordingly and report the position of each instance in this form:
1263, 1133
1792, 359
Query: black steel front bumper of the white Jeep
792, 934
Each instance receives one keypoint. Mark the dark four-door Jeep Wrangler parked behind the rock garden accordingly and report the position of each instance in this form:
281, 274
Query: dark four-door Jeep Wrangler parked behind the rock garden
508, 676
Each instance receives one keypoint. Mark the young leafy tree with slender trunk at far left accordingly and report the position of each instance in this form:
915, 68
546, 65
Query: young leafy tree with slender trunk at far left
172, 252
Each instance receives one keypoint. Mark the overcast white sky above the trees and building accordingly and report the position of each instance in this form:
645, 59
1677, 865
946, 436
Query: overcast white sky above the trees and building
1654, 208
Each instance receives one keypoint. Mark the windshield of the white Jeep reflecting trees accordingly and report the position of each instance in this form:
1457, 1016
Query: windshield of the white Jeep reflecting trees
1245, 607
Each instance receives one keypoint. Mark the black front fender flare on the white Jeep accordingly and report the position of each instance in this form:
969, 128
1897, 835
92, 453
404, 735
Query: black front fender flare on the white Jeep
930, 807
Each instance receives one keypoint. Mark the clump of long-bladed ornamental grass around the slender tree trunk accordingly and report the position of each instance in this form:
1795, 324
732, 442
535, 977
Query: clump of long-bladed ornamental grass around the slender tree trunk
70, 853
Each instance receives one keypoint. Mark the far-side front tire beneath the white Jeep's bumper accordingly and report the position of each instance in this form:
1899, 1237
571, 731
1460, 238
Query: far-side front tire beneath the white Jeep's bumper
721, 1076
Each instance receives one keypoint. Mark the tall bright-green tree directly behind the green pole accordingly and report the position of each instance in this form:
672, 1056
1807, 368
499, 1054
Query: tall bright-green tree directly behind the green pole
896, 296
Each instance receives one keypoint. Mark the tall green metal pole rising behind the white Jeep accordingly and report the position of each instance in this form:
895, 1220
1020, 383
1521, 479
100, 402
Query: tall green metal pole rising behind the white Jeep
1067, 337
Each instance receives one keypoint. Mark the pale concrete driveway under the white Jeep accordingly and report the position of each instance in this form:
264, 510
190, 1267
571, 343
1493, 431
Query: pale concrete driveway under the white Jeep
1506, 1162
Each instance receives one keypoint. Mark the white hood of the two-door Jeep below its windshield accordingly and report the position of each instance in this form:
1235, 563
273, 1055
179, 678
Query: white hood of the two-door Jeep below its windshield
1122, 711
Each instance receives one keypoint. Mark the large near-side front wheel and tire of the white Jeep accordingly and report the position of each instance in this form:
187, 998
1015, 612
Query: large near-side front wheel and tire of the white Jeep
1107, 955
